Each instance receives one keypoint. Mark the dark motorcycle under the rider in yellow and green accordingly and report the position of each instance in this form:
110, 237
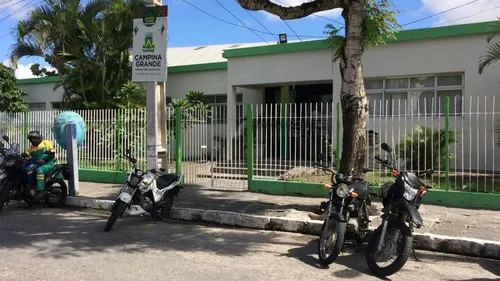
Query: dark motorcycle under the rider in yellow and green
15, 187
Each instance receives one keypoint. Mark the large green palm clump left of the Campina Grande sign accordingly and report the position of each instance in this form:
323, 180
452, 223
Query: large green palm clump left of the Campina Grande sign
88, 44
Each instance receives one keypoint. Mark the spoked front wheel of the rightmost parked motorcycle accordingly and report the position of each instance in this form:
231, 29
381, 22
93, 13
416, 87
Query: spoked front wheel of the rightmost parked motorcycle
397, 246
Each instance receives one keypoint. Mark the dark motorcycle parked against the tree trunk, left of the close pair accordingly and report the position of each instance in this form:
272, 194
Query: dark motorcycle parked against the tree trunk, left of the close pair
347, 214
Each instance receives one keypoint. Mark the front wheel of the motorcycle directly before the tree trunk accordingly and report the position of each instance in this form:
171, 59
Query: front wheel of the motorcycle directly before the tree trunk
331, 240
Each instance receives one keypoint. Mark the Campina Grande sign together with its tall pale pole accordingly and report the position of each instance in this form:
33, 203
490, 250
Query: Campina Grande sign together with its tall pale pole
149, 64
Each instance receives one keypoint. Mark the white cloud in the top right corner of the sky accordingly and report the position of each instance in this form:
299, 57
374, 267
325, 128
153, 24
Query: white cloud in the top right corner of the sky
486, 10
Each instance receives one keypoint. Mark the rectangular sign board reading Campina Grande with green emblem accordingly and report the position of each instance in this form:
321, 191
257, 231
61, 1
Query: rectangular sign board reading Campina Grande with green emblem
149, 60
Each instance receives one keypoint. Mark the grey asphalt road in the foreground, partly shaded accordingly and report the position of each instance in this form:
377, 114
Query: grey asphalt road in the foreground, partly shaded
69, 244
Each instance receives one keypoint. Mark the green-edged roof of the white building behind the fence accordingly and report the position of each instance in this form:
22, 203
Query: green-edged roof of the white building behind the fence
214, 57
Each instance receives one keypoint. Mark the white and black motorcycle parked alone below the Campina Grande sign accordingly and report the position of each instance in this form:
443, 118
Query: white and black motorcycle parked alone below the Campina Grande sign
149, 191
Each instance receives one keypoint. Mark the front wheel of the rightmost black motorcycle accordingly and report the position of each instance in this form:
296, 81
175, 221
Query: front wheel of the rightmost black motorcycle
403, 250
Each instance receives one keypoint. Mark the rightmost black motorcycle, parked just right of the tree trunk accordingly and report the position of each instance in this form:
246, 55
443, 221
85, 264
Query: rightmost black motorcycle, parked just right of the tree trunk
401, 200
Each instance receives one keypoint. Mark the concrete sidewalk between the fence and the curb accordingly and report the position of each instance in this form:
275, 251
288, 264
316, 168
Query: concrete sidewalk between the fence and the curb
478, 224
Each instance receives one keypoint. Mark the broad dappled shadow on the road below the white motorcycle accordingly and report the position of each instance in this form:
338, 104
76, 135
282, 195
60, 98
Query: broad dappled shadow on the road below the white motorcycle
61, 233
